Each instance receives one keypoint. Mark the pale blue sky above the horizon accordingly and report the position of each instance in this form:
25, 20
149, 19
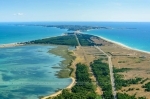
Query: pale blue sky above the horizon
75, 10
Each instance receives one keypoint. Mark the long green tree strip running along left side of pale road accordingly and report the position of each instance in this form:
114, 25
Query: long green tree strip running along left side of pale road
101, 72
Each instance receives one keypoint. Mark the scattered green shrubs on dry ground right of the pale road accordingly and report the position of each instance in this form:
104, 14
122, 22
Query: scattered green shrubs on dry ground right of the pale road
120, 82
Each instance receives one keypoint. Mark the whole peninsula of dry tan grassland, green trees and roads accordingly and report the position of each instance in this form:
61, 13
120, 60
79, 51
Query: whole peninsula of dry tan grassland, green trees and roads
126, 76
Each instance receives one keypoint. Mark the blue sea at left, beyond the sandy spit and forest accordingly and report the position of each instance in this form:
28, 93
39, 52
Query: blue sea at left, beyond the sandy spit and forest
12, 33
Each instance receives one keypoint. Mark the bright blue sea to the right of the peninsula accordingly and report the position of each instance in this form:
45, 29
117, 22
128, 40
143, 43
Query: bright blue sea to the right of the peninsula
134, 35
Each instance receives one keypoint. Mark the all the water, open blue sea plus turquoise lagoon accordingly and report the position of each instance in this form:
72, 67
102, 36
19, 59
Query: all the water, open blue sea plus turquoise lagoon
26, 71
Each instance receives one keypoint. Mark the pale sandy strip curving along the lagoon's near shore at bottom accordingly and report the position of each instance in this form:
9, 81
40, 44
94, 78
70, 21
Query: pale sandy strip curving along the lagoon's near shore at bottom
59, 92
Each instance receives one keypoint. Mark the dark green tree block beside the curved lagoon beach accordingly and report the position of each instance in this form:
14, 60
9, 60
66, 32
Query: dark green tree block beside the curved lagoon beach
84, 84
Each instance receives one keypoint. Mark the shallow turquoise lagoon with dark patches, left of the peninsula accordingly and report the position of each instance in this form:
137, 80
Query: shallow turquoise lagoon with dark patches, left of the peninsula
26, 72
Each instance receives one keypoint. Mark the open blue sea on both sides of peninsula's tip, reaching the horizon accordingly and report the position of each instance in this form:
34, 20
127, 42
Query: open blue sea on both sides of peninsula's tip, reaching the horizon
133, 34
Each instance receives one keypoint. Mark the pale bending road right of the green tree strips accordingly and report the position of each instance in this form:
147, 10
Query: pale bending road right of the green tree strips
111, 71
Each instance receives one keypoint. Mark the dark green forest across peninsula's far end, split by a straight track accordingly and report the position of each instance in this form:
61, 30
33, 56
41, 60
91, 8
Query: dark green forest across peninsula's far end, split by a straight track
67, 39
